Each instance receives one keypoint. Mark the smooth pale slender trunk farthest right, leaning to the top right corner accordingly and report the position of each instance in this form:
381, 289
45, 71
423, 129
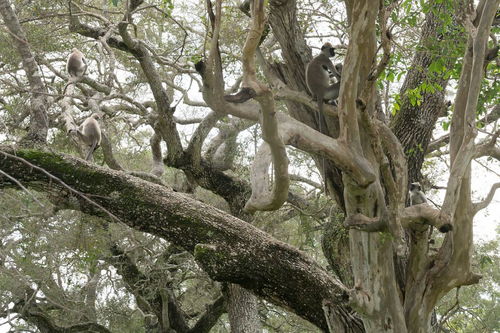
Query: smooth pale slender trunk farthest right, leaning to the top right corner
430, 278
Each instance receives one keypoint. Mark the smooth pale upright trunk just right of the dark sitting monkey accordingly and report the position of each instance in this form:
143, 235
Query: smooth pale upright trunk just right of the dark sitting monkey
375, 295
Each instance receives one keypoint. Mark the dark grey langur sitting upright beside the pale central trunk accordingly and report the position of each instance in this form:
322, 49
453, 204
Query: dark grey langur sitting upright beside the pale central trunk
318, 77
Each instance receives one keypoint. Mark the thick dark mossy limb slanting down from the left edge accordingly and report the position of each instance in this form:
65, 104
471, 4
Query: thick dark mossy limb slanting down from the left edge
227, 248
